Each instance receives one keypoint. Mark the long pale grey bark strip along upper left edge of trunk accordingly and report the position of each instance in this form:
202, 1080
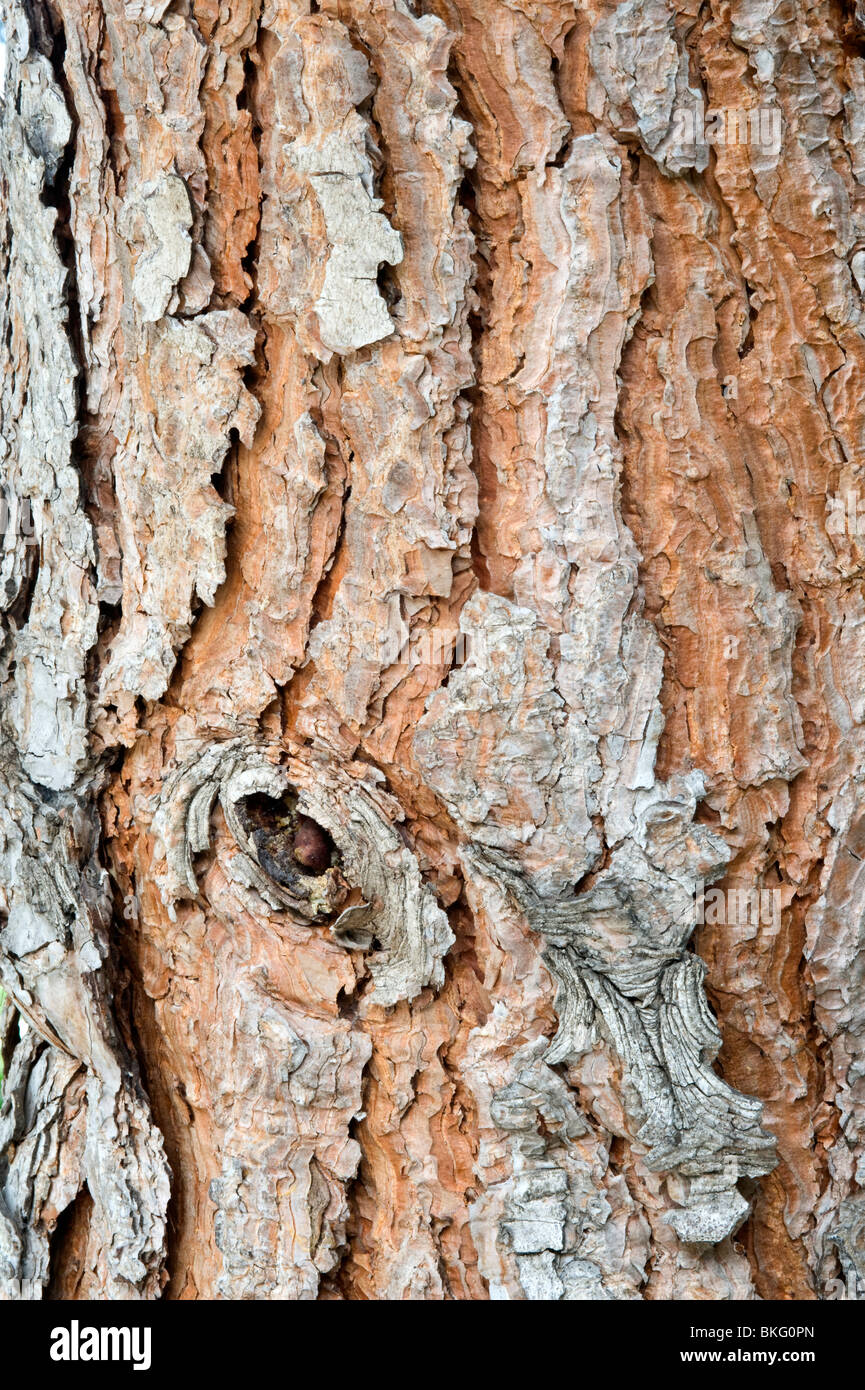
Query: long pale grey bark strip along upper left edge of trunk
47, 711
